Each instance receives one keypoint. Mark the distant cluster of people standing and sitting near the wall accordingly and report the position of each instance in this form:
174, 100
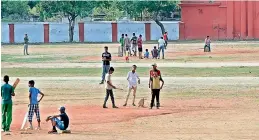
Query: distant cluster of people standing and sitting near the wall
134, 44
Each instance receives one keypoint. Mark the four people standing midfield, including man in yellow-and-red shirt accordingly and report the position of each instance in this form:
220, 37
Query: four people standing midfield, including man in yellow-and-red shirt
155, 80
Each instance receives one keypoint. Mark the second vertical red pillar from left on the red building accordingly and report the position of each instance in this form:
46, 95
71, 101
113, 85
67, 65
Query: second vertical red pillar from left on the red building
243, 21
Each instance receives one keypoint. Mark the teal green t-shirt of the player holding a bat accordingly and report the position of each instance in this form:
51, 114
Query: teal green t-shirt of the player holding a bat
6, 93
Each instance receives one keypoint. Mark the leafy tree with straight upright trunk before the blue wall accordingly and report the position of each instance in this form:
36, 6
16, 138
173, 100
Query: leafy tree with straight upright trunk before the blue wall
69, 9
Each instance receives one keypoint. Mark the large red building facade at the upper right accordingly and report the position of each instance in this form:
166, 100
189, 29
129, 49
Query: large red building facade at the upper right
222, 20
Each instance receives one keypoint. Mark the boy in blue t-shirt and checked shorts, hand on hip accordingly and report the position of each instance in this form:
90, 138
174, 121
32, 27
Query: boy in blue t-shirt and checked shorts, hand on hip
34, 104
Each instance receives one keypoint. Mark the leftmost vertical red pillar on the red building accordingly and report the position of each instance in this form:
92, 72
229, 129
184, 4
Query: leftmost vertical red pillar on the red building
230, 19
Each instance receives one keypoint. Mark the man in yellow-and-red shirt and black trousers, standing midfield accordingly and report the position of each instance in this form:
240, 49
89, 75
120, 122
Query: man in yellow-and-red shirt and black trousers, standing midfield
155, 88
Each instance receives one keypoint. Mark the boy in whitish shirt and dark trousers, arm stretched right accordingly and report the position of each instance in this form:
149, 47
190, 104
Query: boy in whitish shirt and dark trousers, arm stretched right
109, 86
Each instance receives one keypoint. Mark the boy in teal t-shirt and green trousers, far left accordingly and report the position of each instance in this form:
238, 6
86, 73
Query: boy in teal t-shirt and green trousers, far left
7, 91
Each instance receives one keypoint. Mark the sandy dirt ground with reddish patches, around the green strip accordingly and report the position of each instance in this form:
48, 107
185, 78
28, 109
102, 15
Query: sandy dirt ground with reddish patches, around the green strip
198, 108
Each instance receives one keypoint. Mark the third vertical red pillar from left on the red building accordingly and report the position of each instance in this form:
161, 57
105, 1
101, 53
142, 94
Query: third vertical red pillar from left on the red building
250, 19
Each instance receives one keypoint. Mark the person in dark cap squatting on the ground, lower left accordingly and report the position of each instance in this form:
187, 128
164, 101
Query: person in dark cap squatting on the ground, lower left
62, 123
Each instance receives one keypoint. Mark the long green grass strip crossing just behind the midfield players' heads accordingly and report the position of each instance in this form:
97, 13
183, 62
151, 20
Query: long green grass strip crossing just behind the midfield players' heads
173, 72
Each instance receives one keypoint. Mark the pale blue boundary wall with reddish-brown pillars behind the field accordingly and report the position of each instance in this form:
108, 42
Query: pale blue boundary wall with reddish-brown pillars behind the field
40, 32
